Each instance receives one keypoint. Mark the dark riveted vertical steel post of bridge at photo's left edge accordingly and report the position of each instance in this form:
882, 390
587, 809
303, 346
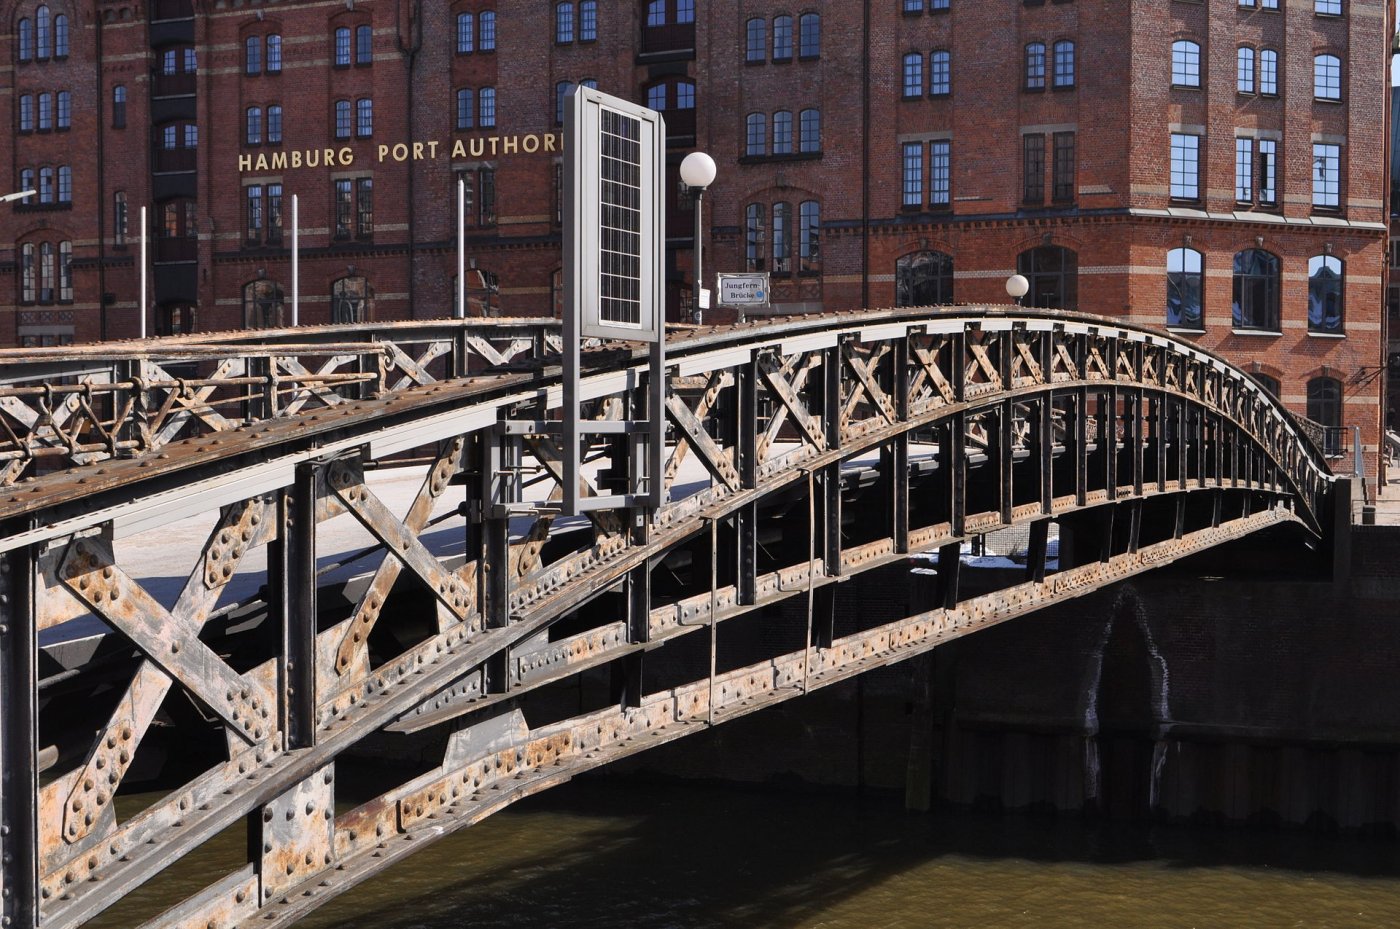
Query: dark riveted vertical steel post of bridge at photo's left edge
19, 742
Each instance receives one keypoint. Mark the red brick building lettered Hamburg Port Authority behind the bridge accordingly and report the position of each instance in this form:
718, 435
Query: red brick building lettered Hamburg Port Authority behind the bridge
1214, 167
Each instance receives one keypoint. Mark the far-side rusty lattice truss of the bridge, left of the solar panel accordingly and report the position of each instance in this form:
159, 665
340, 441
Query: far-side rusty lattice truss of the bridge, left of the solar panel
78, 405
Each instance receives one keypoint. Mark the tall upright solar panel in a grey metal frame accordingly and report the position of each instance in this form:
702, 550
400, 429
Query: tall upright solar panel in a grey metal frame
614, 219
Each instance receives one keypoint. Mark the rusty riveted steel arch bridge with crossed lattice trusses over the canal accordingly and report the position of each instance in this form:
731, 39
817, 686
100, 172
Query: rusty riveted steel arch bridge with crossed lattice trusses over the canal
800, 453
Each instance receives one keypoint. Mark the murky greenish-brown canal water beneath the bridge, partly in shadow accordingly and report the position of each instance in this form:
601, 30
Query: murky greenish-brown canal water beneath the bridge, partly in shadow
608, 854
